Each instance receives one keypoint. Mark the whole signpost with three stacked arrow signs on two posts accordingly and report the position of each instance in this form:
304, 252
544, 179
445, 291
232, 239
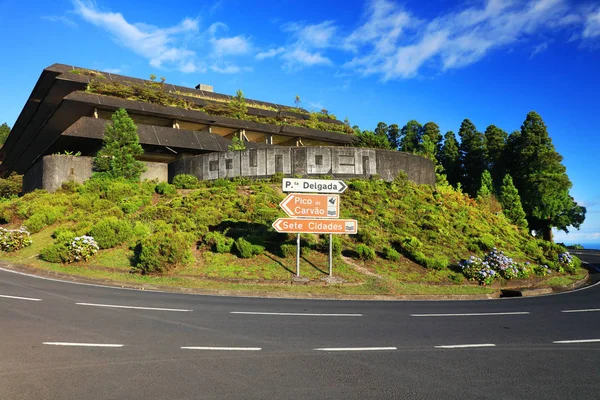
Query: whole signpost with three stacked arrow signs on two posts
314, 213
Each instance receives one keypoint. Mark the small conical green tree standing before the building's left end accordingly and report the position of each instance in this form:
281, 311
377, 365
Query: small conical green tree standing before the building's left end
120, 146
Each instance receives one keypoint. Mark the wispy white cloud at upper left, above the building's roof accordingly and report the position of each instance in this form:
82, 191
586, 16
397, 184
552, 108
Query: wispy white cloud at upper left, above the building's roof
155, 44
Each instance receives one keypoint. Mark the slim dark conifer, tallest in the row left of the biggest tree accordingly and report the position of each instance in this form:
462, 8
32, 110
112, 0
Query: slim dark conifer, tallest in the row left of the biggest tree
472, 156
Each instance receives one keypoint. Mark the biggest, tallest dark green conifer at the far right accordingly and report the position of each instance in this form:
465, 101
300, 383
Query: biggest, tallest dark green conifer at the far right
541, 179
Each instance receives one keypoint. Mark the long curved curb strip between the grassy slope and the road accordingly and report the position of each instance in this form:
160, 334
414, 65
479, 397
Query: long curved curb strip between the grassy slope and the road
29, 270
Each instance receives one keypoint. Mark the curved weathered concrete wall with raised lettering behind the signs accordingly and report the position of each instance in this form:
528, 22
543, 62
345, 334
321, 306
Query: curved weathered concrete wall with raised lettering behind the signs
340, 162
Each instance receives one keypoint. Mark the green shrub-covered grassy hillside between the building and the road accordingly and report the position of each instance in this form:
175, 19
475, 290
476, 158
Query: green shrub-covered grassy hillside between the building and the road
218, 235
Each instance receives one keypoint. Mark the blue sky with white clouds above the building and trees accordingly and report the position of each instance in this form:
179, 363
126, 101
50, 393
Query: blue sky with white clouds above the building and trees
375, 60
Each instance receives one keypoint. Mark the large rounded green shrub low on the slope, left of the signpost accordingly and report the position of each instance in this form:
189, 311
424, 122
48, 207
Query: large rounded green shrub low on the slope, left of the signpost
162, 251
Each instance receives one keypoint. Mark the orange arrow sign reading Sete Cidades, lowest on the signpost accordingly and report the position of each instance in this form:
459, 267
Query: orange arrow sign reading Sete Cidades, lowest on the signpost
316, 225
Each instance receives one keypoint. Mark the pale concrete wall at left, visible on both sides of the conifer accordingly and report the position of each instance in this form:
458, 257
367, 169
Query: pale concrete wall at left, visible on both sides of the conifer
51, 171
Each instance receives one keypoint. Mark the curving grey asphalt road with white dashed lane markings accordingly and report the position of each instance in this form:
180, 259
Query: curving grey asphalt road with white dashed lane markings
61, 340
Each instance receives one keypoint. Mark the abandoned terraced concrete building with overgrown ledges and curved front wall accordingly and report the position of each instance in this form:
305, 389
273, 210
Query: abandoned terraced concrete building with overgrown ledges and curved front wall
182, 130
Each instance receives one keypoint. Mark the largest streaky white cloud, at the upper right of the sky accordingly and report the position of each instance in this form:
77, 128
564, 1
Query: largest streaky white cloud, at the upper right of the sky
395, 44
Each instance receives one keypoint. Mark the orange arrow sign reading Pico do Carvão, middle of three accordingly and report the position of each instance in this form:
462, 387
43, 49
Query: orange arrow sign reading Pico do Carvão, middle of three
311, 205
